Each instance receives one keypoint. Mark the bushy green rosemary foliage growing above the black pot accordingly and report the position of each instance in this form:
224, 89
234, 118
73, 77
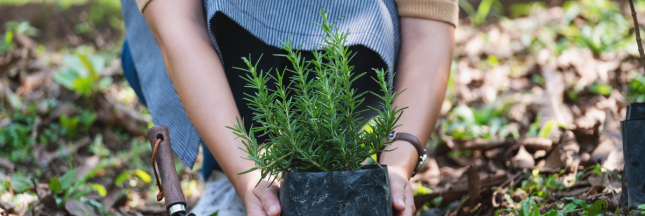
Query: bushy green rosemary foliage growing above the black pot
314, 124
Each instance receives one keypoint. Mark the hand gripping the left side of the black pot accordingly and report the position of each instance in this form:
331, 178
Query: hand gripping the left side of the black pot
263, 199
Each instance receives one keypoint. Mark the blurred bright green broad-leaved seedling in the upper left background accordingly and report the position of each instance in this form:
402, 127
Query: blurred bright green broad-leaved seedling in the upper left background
83, 74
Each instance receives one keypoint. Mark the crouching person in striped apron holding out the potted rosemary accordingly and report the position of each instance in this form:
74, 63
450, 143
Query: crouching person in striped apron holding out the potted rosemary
179, 58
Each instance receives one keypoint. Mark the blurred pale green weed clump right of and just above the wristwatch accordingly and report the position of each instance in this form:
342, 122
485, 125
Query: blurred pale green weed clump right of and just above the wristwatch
467, 123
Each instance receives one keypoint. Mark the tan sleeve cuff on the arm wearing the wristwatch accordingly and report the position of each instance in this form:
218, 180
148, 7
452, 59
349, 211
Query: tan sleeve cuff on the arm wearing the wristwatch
439, 10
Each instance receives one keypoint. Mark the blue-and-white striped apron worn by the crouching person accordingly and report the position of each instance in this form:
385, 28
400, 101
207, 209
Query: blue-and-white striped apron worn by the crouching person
371, 23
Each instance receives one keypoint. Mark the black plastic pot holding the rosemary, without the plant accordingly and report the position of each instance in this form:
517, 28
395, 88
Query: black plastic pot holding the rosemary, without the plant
361, 192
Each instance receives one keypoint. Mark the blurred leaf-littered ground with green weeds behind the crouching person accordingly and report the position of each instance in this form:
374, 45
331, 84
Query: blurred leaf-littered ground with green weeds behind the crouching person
536, 93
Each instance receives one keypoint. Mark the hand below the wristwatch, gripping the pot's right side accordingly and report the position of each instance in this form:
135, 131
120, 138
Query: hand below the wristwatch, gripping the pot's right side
402, 198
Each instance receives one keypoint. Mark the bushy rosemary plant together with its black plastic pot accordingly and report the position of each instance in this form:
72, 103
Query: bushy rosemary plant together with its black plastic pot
315, 142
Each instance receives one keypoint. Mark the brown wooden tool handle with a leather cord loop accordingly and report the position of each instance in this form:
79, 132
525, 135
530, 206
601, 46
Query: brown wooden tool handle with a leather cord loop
166, 164
